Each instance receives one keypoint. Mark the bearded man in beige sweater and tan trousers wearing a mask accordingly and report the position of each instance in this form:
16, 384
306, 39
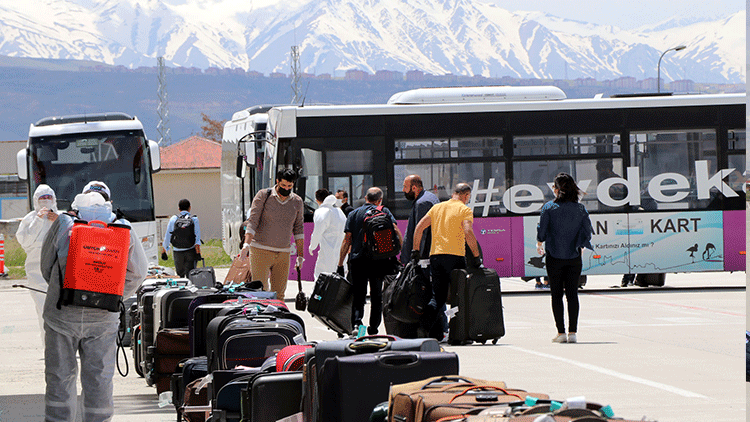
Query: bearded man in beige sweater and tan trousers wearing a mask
275, 216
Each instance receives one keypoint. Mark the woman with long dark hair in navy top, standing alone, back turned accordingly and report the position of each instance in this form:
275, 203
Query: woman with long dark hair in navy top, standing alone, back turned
564, 229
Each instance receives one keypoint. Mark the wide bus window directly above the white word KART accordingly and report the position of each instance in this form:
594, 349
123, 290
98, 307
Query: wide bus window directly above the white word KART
676, 152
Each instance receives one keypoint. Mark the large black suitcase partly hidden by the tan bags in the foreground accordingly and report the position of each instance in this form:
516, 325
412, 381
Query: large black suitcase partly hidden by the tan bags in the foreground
342, 398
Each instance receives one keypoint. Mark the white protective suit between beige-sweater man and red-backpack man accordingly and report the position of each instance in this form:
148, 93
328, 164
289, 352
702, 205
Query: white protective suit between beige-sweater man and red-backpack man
328, 232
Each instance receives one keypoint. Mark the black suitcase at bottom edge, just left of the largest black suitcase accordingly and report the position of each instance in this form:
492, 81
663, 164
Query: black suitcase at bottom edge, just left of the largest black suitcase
270, 397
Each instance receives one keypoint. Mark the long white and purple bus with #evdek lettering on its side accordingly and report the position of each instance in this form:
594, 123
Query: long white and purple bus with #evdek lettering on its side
662, 173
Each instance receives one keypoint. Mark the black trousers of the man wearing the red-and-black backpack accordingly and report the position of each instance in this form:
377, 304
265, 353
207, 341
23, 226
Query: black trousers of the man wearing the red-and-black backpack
367, 272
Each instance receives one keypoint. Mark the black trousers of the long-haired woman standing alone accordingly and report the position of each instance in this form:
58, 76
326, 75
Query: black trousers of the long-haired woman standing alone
563, 281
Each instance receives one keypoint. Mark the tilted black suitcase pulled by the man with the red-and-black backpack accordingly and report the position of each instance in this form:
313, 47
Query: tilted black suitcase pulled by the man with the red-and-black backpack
331, 302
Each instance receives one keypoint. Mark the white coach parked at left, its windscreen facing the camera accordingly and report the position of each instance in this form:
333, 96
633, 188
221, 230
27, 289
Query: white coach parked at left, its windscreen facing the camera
69, 151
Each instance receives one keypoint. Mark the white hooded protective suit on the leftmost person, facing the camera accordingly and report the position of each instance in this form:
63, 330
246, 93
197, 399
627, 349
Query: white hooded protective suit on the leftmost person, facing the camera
30, 235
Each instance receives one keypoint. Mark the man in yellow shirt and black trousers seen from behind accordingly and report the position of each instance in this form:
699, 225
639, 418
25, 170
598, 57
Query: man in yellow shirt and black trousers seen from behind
451, 223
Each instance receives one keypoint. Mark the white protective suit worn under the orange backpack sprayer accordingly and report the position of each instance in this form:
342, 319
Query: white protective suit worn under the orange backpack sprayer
89, 332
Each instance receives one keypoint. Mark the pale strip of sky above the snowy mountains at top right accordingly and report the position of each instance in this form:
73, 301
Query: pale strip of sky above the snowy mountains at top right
626, 14
